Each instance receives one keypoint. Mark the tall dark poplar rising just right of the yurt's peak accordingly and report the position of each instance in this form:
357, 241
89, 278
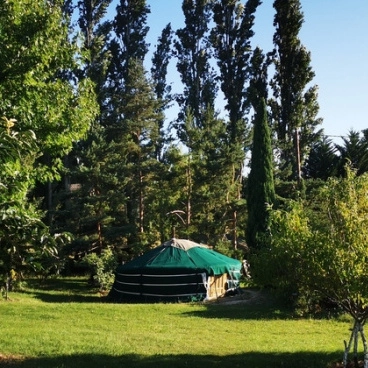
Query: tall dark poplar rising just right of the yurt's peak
197, 115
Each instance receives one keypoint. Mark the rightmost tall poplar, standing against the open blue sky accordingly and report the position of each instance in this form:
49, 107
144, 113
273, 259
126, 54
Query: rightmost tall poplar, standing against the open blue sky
294, 104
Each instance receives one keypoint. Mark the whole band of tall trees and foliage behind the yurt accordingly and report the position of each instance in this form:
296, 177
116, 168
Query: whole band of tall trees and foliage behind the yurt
93, 156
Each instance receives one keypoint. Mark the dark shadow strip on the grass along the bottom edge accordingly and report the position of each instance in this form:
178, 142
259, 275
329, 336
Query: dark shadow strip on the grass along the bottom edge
251, 359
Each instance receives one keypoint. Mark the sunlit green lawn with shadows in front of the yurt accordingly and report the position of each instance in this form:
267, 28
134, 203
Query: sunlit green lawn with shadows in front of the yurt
64, 324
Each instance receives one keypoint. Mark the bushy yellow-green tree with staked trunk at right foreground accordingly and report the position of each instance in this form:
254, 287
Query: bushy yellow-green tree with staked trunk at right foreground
318, 252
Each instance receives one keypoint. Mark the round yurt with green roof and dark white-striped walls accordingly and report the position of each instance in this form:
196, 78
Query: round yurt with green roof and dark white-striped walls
178, 270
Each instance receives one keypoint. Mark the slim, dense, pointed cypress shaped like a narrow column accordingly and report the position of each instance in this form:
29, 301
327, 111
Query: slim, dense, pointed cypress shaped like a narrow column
261, 190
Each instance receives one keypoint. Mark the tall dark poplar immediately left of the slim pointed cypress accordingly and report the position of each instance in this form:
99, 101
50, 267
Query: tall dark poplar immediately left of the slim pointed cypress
231, 40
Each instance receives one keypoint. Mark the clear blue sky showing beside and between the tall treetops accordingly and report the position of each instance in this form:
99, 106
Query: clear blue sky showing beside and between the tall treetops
334, 31
